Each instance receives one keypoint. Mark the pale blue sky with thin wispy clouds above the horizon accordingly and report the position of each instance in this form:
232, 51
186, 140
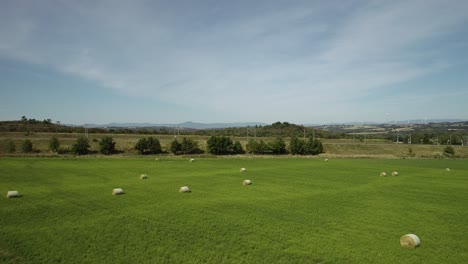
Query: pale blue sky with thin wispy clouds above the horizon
305, 62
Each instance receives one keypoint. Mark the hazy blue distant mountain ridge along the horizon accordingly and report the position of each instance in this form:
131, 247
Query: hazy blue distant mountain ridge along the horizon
188, 124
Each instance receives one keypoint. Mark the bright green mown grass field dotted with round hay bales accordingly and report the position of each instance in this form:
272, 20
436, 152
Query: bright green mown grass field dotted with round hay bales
296, 211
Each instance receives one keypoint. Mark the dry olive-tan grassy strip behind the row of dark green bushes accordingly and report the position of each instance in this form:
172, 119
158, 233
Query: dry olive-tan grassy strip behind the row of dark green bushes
333, 148
